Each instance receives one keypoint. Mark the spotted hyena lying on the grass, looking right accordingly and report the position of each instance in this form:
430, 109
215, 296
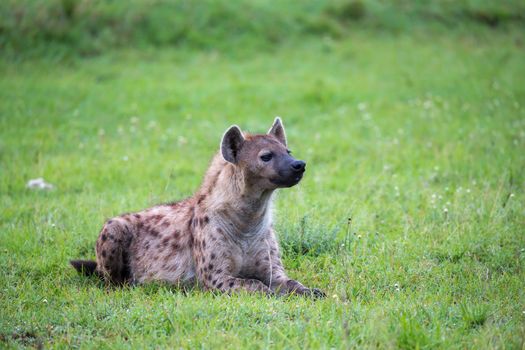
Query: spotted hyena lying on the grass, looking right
222, 237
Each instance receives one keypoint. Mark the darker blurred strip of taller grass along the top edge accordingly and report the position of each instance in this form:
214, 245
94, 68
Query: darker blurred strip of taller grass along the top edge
89, 27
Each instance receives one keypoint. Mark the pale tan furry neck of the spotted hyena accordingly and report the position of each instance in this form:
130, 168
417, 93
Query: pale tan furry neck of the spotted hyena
226, 194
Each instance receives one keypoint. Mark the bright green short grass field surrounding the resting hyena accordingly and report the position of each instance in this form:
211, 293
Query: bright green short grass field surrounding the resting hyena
417, 138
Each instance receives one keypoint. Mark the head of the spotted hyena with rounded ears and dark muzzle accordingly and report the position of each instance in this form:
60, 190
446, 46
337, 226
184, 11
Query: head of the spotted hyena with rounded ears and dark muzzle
264, 160
